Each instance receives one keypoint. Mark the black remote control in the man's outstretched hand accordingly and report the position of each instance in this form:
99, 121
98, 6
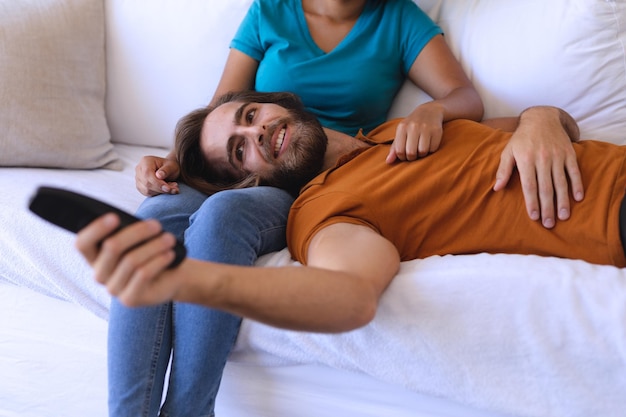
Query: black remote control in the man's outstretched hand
73, 211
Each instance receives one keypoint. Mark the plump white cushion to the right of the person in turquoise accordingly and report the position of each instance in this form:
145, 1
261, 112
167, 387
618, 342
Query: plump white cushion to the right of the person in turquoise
567, 53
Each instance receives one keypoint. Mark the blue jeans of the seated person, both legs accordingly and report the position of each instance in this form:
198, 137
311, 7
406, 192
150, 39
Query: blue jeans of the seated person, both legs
234, 227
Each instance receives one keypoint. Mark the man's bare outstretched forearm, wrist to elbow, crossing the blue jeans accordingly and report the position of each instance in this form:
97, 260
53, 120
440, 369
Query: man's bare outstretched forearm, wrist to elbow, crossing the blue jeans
299, 298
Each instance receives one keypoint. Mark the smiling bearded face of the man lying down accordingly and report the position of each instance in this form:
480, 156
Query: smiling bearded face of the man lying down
284, 148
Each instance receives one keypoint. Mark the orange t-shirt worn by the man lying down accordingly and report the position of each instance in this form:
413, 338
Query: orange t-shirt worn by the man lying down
444, 203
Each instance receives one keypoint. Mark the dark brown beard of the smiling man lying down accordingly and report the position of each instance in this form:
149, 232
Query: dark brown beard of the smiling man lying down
304, 158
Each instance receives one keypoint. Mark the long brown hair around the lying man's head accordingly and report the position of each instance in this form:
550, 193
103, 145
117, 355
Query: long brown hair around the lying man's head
195, 170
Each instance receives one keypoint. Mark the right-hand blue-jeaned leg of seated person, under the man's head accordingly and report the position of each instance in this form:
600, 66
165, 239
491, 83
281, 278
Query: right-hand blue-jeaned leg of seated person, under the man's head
234, 227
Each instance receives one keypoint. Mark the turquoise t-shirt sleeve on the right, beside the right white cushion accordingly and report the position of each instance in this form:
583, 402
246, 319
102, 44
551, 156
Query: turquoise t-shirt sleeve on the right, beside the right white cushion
417, 30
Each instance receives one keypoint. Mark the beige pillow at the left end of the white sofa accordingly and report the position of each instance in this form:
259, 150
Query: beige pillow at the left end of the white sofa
52, 85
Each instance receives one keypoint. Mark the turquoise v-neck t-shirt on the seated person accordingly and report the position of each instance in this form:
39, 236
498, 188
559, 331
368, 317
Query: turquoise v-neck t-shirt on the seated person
352, 86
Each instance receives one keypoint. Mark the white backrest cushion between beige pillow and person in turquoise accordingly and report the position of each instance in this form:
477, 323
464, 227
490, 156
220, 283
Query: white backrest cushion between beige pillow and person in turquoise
165, 58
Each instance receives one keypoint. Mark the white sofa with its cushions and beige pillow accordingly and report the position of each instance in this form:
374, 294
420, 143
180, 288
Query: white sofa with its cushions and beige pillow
89, 86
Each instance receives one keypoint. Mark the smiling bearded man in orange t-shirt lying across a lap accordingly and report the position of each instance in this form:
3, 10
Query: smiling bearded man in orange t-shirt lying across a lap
356, 216
